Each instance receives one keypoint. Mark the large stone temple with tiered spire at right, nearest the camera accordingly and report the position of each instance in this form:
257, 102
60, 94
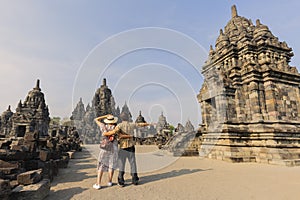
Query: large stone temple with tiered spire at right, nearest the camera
250, 98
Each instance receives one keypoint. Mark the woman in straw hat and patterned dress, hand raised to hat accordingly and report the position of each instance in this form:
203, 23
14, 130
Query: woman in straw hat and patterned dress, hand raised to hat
107, 160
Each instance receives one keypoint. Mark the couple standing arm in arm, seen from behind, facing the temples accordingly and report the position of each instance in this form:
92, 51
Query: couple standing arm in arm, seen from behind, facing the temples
111, 158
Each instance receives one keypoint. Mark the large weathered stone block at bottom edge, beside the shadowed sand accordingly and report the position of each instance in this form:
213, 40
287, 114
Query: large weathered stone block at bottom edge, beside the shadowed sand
36, 191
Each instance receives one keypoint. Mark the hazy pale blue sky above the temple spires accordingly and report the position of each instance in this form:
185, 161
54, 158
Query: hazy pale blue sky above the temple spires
151, 52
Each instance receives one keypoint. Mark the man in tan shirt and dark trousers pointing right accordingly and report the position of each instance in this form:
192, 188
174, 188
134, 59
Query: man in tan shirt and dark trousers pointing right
126, 148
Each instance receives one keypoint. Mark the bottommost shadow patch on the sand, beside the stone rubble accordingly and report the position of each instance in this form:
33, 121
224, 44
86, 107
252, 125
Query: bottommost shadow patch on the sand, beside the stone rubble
66, 193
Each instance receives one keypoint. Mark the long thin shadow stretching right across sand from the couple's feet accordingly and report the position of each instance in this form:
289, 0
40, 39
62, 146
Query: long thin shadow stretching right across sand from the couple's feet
166, 175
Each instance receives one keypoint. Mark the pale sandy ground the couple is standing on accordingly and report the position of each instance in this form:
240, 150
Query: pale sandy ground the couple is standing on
183, 178
